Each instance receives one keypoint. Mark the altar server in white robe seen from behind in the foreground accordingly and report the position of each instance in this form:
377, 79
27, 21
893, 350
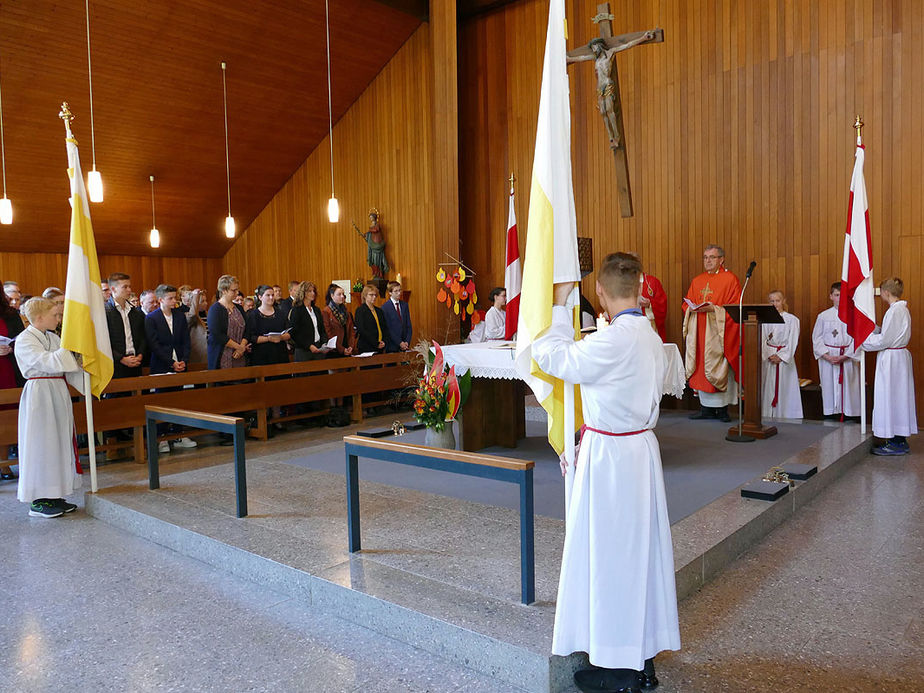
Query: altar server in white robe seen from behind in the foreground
617, 599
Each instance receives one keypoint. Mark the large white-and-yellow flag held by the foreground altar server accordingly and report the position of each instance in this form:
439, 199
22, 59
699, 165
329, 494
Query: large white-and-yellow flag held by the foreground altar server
551, 231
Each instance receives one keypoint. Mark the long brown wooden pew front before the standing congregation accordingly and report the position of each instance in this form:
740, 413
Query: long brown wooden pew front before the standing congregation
251, 388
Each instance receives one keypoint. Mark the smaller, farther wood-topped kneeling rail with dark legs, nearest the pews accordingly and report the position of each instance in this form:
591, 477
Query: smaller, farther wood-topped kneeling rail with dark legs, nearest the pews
212, 422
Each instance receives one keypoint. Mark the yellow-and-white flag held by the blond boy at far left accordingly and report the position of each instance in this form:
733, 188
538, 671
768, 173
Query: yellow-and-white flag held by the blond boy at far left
84, 329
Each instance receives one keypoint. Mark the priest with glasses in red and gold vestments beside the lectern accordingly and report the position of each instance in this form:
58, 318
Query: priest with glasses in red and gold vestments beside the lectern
711, 337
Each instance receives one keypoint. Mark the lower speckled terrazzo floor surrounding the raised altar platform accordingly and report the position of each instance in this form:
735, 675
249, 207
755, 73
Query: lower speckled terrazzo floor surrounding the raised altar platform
830, 601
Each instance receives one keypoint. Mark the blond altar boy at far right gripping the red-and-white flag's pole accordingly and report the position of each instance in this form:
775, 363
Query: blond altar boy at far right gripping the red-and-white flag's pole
894, 415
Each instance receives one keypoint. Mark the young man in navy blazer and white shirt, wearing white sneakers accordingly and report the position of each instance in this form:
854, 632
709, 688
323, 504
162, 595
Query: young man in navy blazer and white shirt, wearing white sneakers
168, 337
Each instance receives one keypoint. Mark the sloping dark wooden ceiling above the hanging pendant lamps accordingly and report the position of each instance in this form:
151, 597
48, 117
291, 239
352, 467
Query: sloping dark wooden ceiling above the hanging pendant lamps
157, 106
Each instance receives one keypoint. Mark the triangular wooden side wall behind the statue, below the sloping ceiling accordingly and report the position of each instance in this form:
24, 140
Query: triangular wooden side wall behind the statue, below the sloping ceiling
382, 158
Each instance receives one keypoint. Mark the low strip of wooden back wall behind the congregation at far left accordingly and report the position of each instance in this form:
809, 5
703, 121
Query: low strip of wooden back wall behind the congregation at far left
37, 271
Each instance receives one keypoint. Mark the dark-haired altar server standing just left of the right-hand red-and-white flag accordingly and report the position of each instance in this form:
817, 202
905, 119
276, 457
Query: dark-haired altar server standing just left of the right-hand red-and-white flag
838, 363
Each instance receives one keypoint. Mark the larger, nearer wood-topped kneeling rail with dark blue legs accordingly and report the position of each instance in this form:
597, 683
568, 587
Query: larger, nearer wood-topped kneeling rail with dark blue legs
519, 472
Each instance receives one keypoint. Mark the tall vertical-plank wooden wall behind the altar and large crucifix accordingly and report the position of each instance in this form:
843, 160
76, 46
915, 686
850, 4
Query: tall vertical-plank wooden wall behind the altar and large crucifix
739, 133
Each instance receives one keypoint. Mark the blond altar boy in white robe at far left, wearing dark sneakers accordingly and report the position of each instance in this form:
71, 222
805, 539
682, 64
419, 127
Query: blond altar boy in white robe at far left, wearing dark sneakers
48, 468
